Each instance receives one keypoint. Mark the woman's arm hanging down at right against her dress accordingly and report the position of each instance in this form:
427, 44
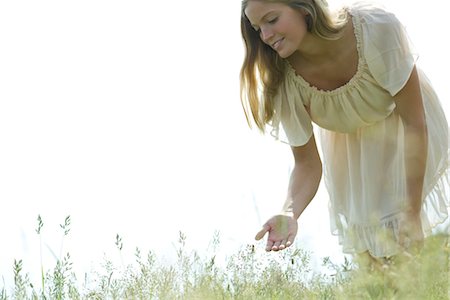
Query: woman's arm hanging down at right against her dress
409, 105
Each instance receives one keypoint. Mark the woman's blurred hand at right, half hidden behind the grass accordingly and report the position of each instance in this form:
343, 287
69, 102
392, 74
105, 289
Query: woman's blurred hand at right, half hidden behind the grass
411, 236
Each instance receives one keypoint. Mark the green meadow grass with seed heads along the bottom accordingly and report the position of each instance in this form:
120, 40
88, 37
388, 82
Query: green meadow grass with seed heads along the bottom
250, 273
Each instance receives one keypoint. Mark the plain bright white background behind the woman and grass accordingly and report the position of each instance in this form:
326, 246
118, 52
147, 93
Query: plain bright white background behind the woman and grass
126, 116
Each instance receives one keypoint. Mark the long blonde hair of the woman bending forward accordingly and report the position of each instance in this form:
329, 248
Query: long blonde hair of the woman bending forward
263, 69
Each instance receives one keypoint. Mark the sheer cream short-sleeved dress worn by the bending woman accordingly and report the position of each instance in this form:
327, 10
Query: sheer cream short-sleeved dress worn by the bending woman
362, 137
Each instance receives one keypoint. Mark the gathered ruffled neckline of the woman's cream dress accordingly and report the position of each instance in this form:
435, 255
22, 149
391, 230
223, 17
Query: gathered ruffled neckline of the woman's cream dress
356, 31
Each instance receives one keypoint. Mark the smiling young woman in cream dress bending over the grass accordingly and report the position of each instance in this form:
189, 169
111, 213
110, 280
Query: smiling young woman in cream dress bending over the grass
384, 135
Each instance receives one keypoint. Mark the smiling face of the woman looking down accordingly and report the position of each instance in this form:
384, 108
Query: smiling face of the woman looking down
280, 26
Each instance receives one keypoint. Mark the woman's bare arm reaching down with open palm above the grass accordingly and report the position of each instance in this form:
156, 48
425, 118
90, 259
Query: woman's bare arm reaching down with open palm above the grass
304, 181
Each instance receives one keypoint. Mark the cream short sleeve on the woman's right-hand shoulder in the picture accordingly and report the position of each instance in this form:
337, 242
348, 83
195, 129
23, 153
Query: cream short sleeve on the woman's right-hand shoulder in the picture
387, 49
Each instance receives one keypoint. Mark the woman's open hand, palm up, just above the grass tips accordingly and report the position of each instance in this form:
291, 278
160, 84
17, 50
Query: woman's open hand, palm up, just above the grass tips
282, 230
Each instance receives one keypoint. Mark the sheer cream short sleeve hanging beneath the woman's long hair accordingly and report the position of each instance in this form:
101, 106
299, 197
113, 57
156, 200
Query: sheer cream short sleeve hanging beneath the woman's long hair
291, 122
